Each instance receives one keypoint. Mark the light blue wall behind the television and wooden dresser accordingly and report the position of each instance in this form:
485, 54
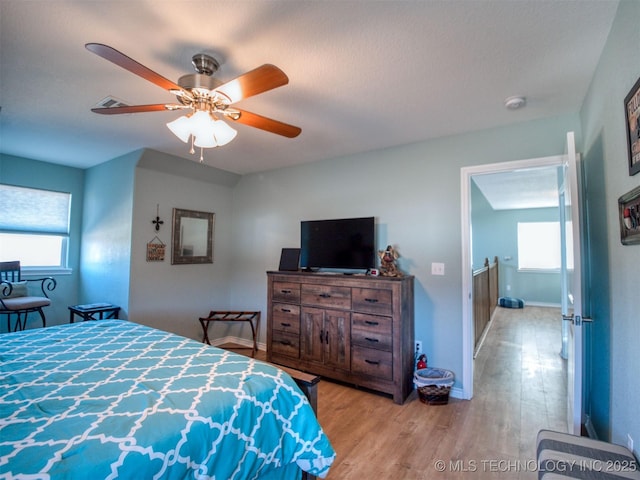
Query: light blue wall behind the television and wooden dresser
414, 193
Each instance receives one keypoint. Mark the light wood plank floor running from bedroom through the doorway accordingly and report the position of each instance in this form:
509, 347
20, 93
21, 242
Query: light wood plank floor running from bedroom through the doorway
519, 389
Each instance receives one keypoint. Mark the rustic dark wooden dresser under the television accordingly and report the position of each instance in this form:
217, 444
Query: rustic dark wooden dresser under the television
352, 328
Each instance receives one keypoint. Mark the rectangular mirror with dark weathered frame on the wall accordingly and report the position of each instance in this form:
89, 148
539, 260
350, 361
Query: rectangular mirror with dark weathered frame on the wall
192, 237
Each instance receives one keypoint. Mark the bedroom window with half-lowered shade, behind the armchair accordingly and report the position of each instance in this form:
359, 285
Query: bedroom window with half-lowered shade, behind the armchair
34, 227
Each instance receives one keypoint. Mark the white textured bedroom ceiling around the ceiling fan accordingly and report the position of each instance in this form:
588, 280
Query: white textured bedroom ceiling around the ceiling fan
364, 75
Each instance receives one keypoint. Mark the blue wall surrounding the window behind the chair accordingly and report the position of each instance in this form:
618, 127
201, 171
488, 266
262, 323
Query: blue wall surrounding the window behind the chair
32, 173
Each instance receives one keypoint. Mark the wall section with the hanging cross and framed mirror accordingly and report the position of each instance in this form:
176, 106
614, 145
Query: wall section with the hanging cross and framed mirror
173, 297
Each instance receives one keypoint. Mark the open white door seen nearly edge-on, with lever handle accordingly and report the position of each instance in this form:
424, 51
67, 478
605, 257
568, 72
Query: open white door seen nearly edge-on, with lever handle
572, 285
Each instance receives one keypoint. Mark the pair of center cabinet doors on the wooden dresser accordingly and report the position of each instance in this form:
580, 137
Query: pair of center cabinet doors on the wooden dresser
325, 337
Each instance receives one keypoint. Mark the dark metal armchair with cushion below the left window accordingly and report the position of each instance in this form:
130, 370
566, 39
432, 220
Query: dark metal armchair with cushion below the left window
15, 298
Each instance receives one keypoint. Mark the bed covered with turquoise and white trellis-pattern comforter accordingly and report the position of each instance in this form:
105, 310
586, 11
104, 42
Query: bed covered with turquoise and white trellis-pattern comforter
115, 399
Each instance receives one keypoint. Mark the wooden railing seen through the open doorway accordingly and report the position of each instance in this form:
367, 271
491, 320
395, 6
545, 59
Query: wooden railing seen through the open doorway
485, 296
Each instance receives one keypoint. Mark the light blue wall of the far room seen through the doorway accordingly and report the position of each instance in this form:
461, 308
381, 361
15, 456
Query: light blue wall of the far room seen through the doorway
495, 233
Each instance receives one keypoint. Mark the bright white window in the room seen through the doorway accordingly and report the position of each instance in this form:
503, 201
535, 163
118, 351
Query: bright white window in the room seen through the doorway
539, 246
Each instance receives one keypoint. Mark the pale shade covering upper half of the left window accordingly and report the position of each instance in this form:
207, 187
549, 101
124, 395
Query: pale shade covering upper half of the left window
29, 210
